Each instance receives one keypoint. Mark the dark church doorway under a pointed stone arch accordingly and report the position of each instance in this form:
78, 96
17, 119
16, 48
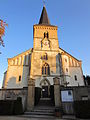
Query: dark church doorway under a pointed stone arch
45, 88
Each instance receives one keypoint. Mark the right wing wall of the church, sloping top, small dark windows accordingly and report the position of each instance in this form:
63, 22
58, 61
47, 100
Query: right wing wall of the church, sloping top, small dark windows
72, 70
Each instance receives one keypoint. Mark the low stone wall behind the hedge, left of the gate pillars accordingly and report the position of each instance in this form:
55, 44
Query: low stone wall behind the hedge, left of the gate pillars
13, 94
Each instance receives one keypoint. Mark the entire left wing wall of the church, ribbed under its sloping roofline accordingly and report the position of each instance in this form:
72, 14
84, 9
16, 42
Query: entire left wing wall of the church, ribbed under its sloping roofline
18, 71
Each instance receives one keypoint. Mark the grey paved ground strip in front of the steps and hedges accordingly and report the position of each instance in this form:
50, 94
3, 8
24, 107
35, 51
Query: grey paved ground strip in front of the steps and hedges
23, 118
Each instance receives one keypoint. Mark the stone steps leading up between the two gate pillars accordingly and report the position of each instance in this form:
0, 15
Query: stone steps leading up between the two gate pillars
44, 109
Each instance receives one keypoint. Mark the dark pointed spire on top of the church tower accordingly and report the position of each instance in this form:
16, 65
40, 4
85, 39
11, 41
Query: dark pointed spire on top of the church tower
44, 17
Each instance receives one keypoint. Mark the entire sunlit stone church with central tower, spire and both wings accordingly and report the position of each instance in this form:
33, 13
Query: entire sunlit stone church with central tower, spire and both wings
37, 68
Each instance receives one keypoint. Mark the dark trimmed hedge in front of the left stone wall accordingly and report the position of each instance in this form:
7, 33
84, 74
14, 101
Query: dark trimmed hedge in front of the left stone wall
11, 107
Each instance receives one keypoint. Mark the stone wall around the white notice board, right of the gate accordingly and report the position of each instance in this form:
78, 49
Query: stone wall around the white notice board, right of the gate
79, 93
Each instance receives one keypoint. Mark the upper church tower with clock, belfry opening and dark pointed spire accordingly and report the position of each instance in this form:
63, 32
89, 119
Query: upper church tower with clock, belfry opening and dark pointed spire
45, 34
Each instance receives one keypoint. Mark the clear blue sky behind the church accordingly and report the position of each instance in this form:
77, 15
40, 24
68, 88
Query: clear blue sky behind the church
71, 16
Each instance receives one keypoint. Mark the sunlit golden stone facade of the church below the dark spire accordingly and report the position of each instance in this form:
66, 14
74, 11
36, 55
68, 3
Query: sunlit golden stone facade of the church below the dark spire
30, 63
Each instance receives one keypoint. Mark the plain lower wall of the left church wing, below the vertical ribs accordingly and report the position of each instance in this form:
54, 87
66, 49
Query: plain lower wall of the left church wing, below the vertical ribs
13, 74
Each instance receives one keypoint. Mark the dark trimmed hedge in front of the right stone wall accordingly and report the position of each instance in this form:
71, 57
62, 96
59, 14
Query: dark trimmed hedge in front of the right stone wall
82, 109
